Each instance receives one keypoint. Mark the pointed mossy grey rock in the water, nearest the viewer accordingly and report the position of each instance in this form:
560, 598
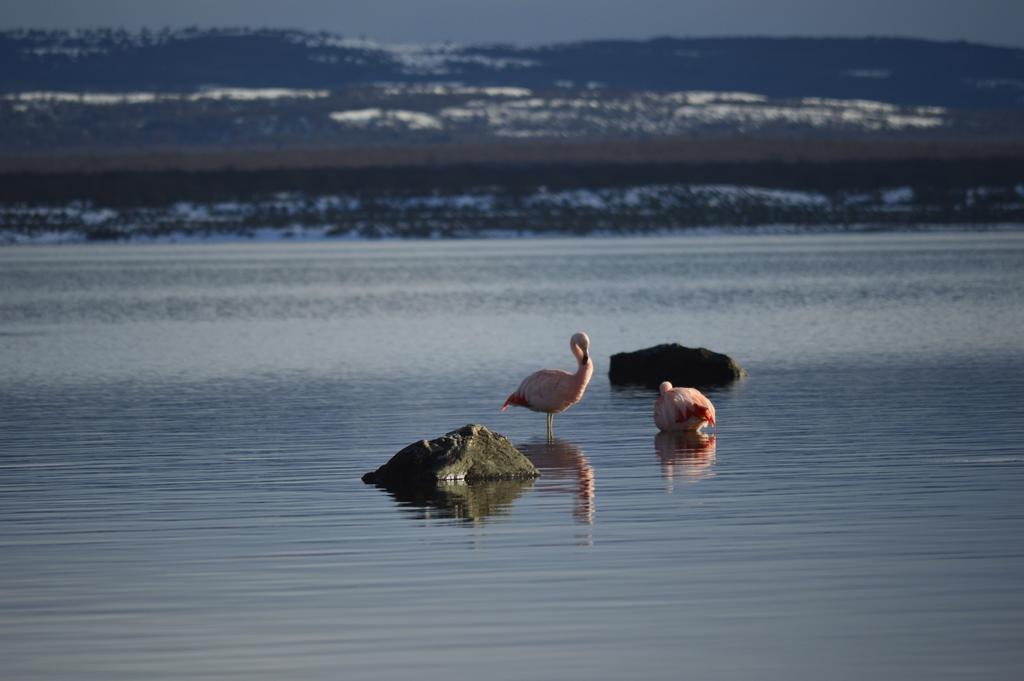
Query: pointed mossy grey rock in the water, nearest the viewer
472, 453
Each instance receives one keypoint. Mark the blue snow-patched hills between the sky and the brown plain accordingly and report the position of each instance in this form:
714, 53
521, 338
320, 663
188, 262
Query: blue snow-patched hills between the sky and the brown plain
244, 90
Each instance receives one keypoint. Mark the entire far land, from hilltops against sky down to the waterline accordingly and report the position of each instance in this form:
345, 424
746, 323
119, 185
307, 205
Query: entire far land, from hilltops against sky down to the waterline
108, 135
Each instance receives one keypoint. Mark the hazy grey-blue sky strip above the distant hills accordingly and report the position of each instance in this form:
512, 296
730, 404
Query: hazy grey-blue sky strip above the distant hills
996, 22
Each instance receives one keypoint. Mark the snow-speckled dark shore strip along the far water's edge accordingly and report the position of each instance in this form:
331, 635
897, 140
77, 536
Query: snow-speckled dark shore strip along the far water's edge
530, 209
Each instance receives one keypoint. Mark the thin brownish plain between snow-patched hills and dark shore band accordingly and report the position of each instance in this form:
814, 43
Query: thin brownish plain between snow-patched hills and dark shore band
711, 149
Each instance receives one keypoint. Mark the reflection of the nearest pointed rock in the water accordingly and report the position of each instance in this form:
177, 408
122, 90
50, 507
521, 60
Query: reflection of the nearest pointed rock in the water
460, 500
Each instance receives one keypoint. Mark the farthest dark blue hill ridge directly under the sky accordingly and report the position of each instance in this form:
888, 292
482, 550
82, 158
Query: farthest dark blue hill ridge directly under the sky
898, 71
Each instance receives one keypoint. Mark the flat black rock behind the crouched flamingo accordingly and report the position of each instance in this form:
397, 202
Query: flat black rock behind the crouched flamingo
677, 364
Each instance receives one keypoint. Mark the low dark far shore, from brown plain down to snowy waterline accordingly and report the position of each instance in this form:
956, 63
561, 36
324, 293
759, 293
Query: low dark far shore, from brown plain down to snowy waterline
562, 194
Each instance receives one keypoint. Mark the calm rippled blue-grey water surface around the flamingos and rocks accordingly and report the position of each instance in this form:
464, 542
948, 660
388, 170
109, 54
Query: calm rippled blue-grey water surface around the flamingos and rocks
183, 432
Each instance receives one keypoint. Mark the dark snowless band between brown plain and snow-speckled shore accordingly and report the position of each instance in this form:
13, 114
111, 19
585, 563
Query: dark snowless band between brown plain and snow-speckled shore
120, 189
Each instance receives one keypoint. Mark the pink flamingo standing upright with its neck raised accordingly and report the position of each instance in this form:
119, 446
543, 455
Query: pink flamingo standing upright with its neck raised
554, 391
